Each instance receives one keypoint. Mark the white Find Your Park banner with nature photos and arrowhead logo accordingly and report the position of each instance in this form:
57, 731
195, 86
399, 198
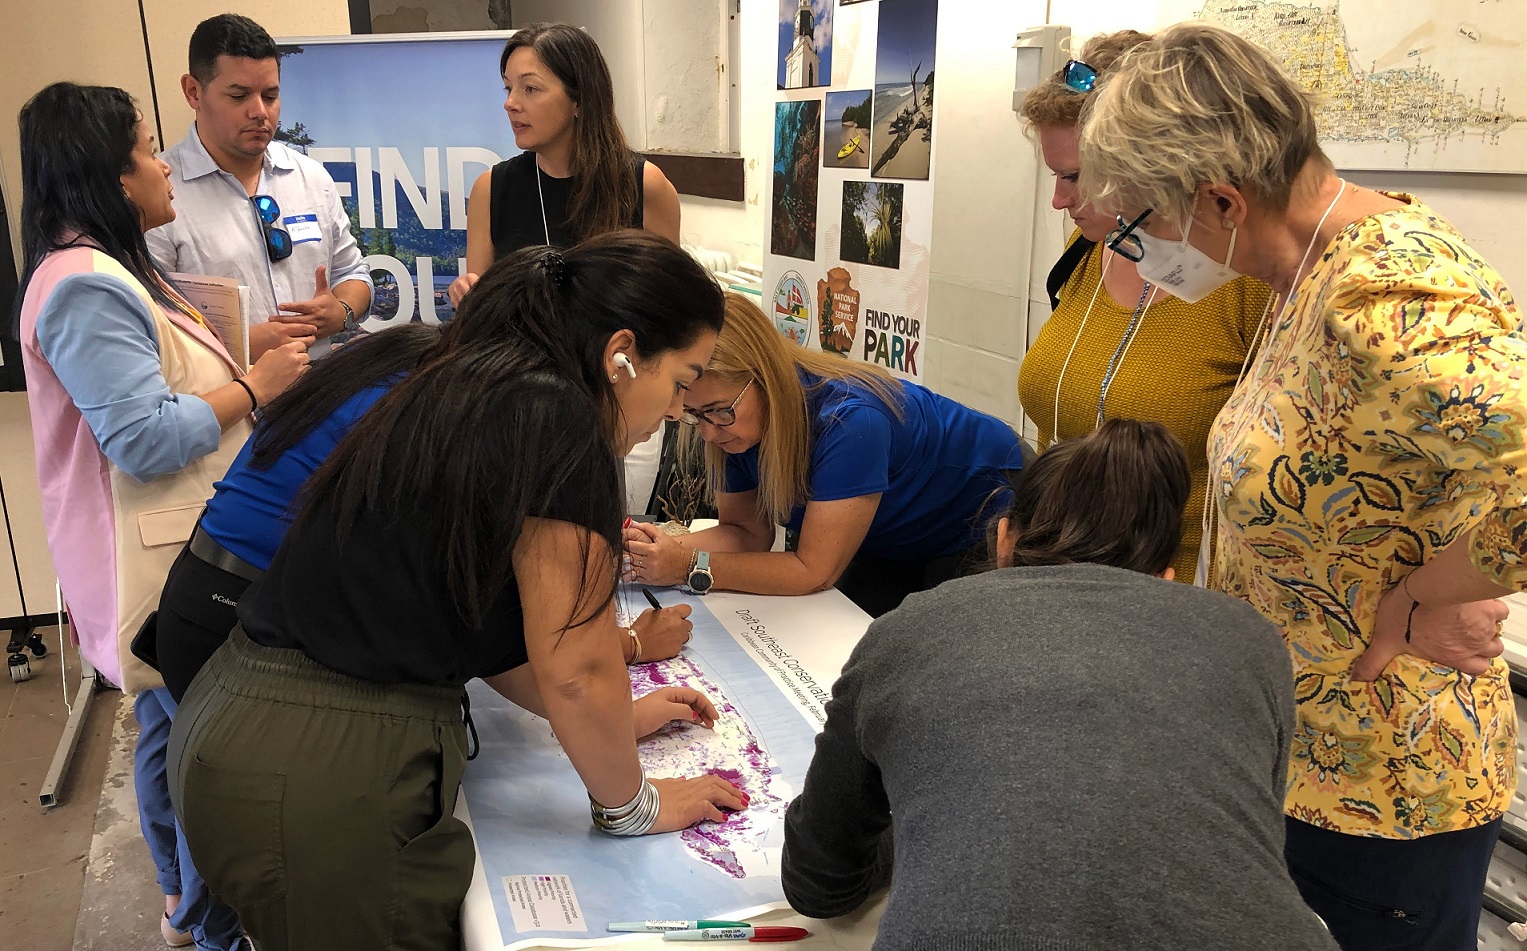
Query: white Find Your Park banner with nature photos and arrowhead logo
851, 237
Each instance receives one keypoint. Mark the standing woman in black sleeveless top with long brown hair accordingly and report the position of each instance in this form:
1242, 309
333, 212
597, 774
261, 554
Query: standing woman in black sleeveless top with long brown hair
576, 178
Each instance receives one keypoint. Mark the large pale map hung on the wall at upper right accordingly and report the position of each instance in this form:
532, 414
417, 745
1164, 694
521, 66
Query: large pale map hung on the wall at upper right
1407, 85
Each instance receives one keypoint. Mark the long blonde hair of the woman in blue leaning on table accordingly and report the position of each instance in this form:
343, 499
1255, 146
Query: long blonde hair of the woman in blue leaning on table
752, 349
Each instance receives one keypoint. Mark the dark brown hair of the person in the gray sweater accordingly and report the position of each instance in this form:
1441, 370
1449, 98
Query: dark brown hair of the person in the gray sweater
1114, 497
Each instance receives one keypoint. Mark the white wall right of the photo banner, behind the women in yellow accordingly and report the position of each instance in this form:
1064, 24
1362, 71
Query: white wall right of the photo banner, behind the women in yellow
986, 172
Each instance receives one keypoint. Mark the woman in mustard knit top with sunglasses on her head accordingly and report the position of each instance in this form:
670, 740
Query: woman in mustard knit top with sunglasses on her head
1117, 346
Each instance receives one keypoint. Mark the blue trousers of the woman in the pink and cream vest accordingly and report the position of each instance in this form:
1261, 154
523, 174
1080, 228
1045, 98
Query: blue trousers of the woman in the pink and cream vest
210, 923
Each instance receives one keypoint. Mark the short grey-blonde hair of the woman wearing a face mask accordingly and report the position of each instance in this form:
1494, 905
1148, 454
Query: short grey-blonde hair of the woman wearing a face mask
1196, 106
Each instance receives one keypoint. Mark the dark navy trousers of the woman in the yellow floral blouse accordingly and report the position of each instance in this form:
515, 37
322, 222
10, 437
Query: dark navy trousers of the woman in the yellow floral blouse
1393, 895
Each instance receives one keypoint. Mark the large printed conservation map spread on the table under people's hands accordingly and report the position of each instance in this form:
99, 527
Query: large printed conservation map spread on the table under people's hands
554, 880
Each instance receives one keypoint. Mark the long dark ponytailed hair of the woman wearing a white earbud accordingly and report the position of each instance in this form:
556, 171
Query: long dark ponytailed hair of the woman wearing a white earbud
511, 416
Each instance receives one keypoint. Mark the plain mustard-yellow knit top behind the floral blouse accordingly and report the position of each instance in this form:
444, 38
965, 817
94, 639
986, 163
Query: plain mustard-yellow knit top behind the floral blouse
1180, 370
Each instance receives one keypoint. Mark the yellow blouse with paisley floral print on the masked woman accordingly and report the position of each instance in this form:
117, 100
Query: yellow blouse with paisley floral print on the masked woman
1383, 422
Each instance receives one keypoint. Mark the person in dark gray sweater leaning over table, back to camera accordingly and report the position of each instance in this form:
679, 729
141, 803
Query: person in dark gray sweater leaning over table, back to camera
1070, 752
